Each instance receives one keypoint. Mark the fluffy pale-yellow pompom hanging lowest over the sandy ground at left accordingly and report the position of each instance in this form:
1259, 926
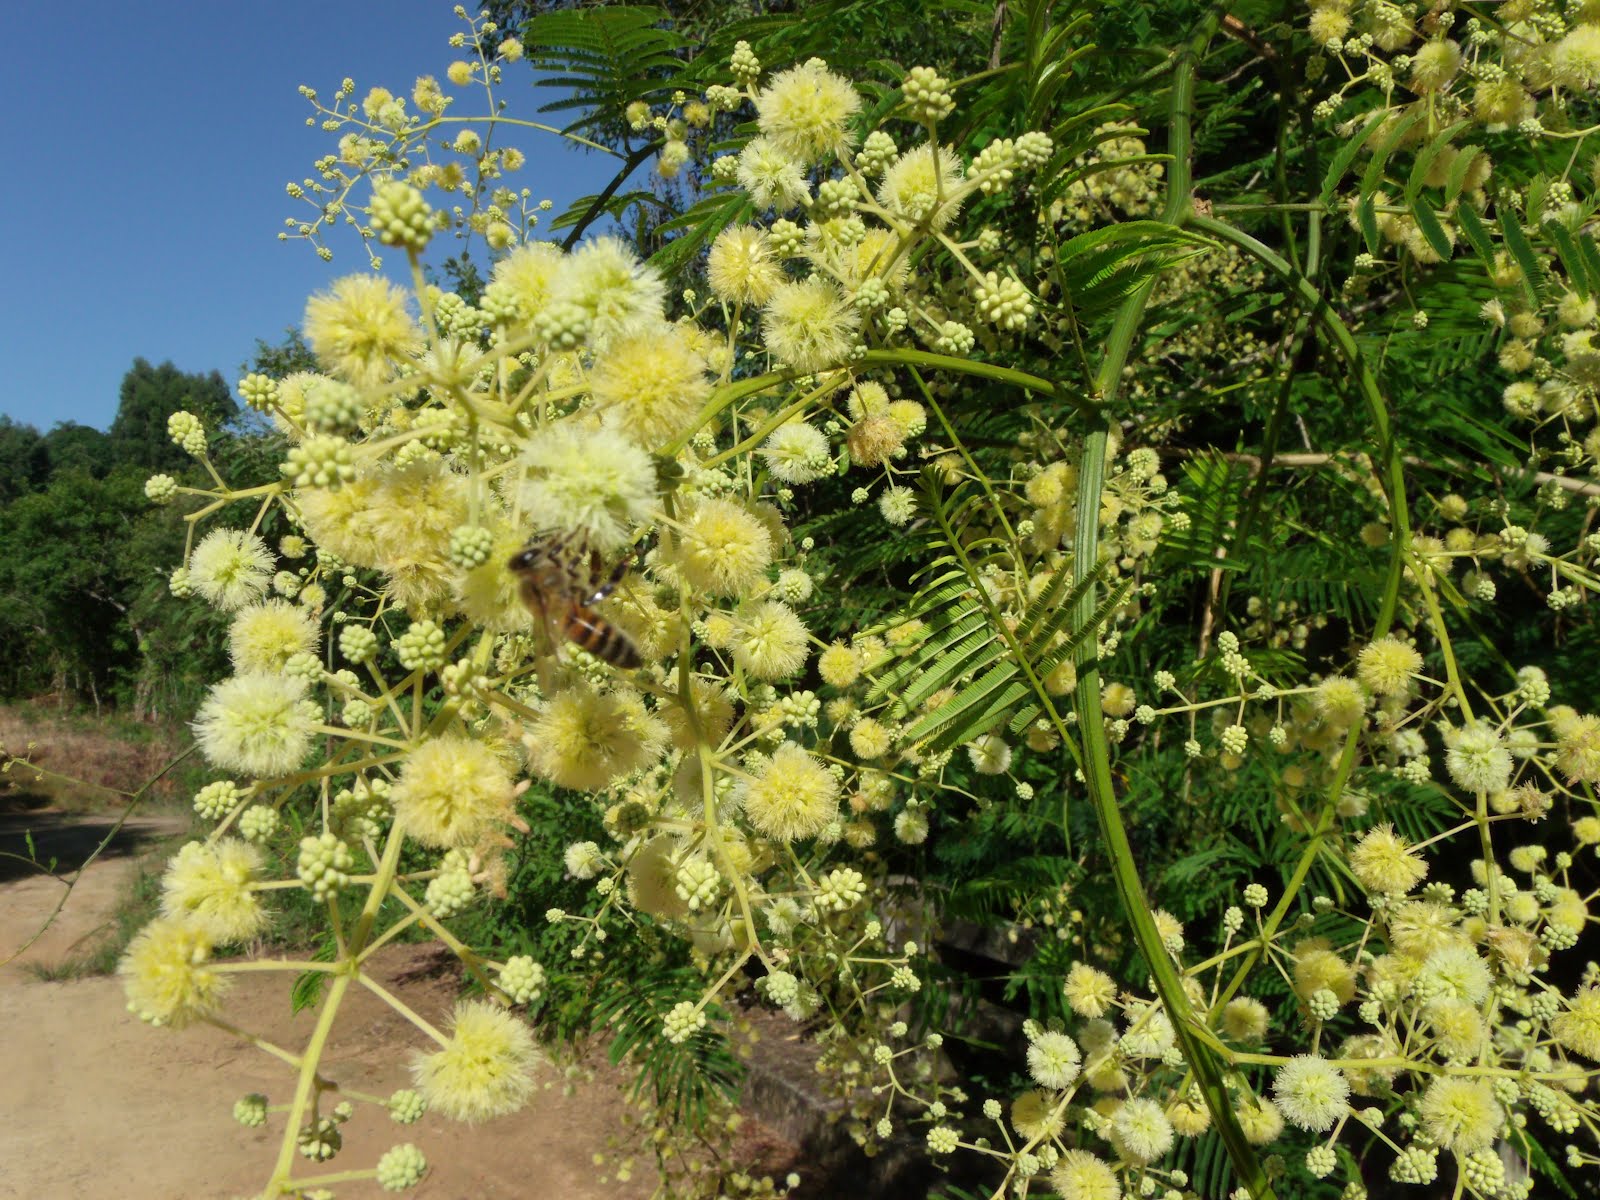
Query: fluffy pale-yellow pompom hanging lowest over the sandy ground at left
487, 1068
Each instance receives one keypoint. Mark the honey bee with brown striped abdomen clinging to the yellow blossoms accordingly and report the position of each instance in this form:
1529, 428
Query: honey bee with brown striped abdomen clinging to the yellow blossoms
561, 580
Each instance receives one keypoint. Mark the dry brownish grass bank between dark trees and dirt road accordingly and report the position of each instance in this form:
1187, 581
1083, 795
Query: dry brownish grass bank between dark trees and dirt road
81, 762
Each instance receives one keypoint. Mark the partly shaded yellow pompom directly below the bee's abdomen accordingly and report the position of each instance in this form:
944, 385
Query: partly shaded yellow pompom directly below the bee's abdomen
586, 740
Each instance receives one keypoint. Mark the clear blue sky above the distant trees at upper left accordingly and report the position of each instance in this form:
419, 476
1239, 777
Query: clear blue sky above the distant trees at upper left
148, 150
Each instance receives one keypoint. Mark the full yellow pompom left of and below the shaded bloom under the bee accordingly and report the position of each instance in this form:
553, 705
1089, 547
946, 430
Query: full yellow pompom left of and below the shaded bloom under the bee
452, 793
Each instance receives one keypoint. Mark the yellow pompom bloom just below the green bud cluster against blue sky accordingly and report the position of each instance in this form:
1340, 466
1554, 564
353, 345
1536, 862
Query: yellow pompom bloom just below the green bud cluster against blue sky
361, 330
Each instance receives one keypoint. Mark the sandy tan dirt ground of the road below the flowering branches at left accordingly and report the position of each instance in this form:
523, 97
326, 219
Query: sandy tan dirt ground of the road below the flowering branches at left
98, 1106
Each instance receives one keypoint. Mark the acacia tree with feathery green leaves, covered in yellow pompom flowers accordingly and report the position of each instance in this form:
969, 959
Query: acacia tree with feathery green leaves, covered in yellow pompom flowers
1110, 418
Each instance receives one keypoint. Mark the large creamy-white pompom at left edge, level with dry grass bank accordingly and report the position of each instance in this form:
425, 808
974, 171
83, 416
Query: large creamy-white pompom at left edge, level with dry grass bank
255, 726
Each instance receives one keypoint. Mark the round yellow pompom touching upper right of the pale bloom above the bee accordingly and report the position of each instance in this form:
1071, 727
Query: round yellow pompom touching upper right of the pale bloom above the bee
650, 383
